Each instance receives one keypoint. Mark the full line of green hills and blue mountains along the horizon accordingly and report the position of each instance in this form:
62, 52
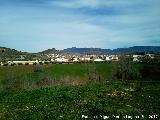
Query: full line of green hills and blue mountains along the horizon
74, 50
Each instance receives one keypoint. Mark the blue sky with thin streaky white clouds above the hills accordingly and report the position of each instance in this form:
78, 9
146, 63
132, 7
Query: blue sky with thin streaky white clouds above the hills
36, 25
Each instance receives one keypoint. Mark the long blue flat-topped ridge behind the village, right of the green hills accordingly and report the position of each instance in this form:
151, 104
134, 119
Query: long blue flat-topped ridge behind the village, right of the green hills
131, 50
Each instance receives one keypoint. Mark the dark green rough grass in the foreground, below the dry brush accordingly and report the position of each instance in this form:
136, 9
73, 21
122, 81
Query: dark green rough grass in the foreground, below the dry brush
71, 102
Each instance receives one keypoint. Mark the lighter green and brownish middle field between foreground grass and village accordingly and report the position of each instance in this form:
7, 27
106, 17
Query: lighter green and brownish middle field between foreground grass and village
24, 77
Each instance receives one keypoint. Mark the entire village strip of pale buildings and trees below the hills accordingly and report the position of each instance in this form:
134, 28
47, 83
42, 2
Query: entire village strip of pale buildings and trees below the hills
74, 58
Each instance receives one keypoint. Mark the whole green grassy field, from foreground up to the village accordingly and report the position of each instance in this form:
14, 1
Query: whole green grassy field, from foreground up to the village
69, 91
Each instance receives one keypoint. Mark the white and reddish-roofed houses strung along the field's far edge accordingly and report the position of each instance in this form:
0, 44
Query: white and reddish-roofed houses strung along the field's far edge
67, 58
